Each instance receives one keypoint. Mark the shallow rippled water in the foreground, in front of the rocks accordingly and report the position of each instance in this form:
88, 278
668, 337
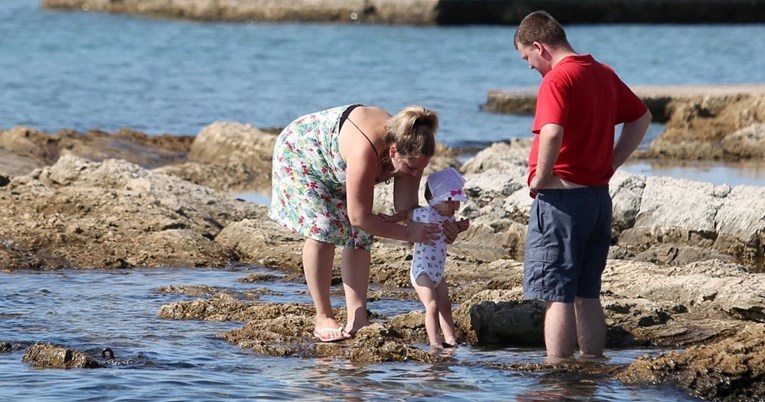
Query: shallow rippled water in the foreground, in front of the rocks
183, 360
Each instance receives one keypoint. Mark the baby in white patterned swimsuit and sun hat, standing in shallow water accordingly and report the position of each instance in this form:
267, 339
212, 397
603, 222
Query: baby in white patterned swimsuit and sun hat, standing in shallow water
444, 192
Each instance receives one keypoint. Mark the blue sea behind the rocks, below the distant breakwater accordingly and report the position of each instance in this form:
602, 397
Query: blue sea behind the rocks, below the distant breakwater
79, 70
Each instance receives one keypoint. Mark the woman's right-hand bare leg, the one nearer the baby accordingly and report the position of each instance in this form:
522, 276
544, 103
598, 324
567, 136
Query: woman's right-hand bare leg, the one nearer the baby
355, 271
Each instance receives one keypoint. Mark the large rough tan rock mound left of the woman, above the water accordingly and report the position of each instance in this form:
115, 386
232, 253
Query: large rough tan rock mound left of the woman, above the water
114, 214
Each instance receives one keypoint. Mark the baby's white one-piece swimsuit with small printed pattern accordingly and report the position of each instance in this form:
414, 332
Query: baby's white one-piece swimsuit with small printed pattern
429, 260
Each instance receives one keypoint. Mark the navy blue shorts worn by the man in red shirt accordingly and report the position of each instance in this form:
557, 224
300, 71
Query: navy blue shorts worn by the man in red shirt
567, 244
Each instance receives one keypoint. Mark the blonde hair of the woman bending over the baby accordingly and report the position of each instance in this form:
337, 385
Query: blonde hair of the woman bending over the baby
413, 130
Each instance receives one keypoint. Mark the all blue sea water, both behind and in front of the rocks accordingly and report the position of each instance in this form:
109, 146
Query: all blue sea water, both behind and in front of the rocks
103, 71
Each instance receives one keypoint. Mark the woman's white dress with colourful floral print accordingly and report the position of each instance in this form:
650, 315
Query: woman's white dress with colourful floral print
308, 194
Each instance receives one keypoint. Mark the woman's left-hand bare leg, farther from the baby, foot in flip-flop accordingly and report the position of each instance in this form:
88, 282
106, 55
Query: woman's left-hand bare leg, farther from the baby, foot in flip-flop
317, 266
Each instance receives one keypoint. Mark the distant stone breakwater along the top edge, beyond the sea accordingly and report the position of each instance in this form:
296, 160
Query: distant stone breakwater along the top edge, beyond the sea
433, 12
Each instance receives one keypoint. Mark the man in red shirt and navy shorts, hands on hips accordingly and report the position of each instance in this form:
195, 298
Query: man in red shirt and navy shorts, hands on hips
572, 158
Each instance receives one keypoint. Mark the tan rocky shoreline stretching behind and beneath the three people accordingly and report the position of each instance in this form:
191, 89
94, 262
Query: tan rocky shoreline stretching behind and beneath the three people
685, 270
